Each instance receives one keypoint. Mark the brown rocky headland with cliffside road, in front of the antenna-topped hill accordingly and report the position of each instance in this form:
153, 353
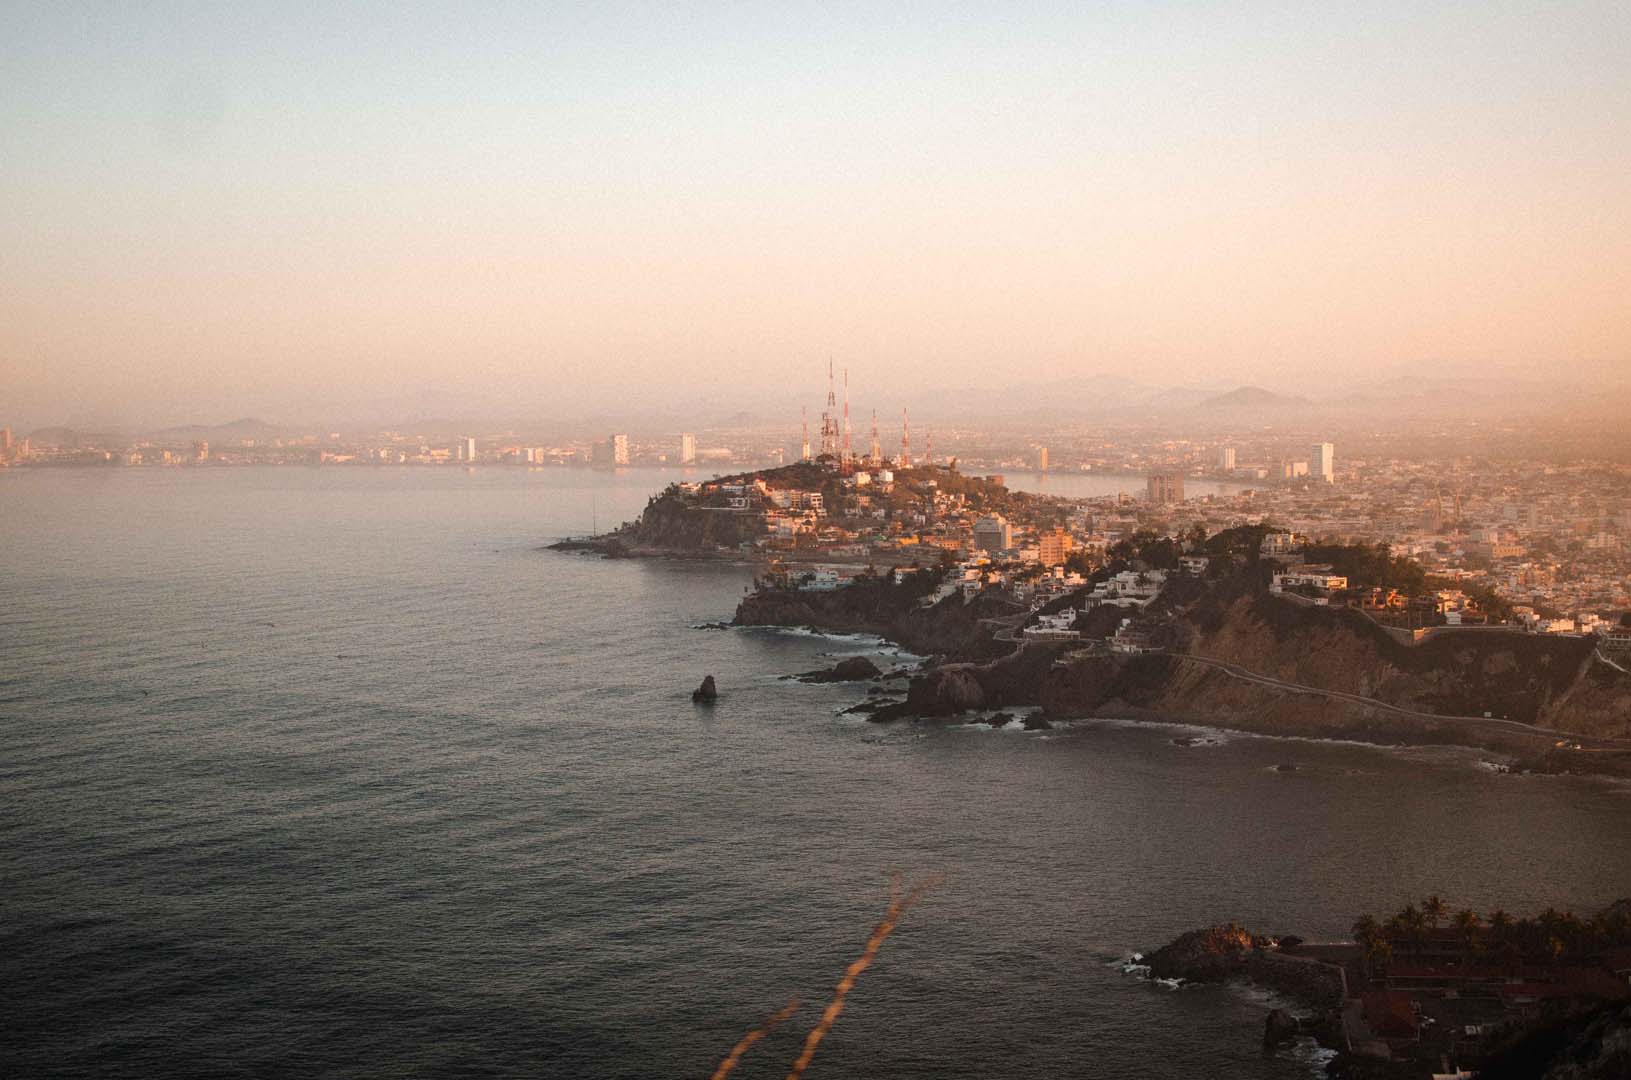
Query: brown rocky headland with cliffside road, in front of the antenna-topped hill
1244, 660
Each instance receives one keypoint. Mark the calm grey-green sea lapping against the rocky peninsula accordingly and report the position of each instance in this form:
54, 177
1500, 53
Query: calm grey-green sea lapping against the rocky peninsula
335, 774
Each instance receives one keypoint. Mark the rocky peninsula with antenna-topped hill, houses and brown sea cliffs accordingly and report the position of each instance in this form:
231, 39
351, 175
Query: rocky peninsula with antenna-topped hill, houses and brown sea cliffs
1209, 642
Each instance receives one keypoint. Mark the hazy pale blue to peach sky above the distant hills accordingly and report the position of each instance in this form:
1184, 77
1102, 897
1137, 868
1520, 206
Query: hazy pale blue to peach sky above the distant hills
392, 211
